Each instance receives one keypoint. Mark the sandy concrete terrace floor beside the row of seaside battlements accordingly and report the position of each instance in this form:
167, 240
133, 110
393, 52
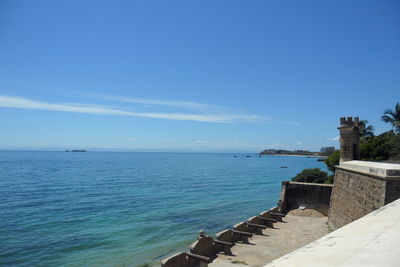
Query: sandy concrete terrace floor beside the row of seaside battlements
296, 231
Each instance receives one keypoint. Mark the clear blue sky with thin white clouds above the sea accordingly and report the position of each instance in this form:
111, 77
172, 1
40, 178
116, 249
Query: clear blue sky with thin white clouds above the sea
236, 76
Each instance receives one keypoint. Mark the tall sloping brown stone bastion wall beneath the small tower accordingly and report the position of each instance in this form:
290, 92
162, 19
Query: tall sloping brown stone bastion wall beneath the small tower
357, 192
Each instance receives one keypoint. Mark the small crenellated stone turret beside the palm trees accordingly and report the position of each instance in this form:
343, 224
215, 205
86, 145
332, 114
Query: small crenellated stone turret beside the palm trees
349, 139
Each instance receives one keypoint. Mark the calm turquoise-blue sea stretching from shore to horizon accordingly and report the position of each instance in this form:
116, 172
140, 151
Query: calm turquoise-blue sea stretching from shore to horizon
127, 209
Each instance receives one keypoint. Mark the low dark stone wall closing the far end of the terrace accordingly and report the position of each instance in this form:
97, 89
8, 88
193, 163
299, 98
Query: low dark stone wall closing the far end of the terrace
309, 195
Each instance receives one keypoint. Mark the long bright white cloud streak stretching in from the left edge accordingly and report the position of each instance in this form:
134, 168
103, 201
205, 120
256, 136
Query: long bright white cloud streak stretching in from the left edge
23, 103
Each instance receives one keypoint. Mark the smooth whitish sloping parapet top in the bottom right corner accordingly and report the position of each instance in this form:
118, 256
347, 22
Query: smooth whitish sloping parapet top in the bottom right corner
373, 240
